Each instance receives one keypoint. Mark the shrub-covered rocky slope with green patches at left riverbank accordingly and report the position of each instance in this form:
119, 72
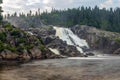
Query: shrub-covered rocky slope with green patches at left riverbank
16, 44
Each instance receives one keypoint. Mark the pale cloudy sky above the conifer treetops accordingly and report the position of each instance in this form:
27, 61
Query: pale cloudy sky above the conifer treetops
11, 6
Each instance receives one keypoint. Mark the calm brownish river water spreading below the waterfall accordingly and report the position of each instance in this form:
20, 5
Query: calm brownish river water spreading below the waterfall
91, 68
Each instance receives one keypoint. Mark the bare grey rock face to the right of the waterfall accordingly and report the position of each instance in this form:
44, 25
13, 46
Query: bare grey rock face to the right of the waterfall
98, 39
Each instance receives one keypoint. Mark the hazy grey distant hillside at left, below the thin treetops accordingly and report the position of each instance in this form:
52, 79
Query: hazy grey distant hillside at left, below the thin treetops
25, 22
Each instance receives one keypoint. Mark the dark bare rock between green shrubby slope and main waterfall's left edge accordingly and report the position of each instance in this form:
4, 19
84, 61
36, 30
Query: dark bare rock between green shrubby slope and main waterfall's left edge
51, 41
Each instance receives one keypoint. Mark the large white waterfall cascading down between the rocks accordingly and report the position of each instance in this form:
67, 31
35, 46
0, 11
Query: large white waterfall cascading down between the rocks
67, 35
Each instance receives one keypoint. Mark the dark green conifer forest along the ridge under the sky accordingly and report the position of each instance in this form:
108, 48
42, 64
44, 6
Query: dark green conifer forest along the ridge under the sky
106, 19
